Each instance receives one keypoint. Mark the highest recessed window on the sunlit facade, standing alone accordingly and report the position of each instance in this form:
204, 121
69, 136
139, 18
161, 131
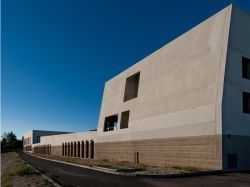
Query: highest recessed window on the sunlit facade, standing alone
131, 87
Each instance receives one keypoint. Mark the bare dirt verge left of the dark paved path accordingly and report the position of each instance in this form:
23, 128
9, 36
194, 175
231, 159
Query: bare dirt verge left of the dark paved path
10, 164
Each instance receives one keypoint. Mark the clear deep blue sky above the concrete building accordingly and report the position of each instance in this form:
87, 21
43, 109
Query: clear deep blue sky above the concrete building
57, 54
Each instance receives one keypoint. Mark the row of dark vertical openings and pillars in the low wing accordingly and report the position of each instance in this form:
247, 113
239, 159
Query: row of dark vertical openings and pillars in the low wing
81, 149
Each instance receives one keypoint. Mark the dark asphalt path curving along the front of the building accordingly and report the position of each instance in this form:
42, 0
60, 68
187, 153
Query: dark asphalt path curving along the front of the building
68, 175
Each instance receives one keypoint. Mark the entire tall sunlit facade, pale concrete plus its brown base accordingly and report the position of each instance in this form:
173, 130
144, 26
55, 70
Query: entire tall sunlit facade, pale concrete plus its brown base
179, 98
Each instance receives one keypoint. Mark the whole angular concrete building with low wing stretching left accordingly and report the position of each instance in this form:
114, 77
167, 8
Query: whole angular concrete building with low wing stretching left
186, 104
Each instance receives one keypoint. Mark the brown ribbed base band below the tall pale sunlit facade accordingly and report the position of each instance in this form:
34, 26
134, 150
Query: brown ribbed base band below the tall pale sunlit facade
198, 151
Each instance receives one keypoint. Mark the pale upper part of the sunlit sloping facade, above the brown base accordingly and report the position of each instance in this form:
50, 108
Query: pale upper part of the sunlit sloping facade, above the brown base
180, 88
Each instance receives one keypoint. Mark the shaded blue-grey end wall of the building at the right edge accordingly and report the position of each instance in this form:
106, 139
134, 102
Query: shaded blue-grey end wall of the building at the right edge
236, 124
